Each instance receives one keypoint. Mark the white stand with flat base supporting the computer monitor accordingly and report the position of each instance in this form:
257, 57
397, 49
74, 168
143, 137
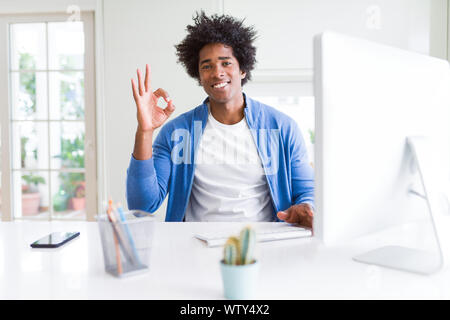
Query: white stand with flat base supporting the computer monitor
432, 174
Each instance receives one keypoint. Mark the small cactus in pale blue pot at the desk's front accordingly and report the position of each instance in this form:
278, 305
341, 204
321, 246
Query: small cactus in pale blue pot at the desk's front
239, 268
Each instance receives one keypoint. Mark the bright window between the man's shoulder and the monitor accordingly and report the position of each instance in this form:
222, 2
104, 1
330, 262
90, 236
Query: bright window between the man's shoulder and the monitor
296, 99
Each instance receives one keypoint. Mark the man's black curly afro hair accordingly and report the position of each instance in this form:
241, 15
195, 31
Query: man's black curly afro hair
217, 29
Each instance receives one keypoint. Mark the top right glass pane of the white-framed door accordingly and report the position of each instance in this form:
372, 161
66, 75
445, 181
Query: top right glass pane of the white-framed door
66, 45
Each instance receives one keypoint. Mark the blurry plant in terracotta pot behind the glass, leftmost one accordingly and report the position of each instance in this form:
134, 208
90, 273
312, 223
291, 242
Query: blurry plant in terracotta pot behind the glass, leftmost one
31, 197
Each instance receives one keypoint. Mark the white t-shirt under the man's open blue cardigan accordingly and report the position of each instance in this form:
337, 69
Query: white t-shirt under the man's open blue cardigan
229, 181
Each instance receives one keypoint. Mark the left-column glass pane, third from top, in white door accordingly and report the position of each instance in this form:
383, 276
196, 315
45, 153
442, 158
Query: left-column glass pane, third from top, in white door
30, 145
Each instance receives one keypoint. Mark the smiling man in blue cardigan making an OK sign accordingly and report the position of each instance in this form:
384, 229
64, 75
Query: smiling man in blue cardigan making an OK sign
231, 158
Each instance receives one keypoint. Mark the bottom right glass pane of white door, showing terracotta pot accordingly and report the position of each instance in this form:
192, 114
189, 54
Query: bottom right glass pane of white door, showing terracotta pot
68, 195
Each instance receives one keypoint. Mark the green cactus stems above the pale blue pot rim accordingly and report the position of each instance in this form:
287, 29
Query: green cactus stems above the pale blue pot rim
239, 251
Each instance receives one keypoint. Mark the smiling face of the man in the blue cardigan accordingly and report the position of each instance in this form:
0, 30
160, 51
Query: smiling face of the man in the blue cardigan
220, 74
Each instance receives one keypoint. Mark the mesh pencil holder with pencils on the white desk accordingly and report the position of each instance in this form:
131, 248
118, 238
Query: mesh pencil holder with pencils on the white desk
126, 242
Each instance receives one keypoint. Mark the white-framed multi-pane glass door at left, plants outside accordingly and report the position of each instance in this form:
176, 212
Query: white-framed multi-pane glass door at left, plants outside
51, 118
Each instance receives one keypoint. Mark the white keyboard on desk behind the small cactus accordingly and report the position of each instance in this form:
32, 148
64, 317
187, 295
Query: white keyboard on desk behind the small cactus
277, 231
